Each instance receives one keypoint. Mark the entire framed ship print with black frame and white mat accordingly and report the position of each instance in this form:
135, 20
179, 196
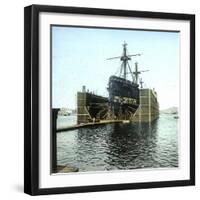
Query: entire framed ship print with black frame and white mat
109, 99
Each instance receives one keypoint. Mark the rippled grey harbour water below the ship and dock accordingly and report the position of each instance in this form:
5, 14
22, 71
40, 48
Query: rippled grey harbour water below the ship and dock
120, 146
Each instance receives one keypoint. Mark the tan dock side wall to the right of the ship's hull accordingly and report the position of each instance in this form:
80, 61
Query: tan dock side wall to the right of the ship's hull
149, 106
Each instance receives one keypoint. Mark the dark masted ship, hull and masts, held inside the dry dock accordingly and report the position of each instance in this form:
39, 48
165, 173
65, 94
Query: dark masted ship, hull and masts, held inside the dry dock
124, 97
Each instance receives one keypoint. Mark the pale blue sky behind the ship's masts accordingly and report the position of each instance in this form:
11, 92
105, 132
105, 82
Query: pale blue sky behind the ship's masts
79, 57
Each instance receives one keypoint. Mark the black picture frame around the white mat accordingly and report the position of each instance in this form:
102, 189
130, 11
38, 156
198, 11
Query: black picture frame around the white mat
31, 98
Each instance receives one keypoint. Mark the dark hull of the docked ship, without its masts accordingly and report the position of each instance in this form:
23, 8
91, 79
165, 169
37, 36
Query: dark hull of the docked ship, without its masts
123, 97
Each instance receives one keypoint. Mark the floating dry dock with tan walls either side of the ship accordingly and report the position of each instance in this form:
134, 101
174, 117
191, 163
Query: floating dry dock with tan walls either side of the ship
91, 107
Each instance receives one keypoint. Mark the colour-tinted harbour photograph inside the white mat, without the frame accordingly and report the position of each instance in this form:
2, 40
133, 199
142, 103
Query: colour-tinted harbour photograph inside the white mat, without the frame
115, 99
